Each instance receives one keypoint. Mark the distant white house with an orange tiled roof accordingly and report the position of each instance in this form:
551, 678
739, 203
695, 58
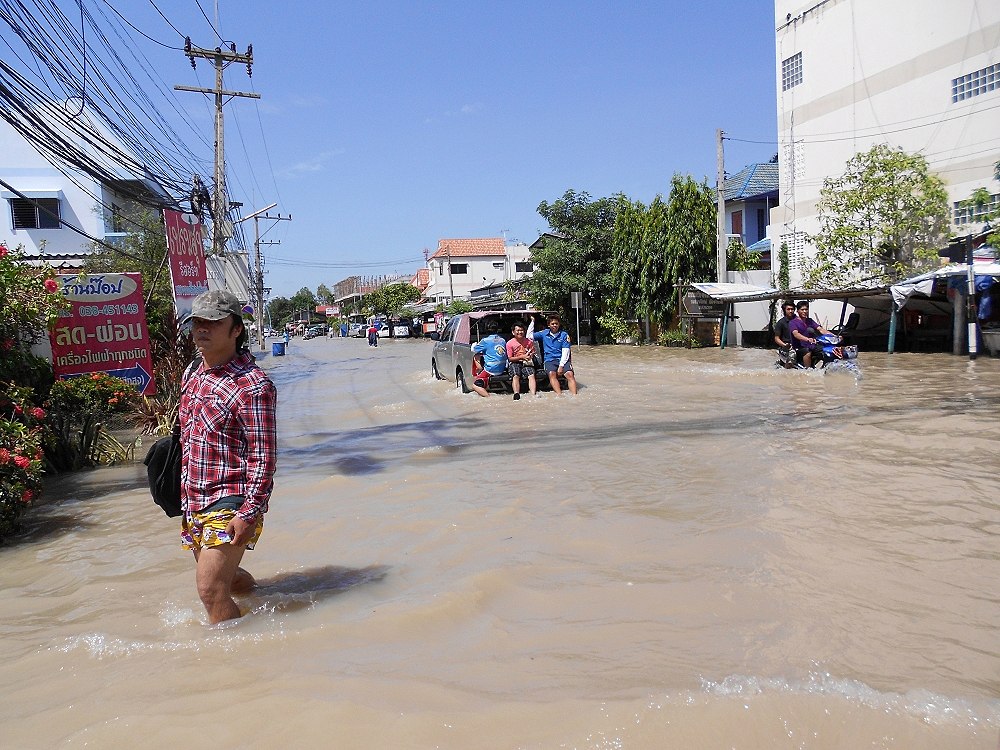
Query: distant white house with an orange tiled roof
460, 265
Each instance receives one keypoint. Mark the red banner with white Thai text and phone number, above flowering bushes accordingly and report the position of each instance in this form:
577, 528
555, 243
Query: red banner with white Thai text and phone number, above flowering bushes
104, 330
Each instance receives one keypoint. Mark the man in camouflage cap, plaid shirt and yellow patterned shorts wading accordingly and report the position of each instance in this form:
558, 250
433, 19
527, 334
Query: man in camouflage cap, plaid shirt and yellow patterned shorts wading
228, 439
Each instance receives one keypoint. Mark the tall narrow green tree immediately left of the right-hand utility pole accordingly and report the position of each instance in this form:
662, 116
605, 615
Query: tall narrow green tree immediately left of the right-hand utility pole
690, 238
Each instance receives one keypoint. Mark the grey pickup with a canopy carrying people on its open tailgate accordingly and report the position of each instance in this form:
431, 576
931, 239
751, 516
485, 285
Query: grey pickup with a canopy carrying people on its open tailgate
452, 359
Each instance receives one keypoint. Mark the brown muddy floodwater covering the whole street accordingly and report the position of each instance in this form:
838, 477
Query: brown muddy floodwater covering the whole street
698, 551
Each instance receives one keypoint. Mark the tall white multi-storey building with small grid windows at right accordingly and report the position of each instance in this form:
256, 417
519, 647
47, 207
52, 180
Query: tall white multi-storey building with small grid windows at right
922, 75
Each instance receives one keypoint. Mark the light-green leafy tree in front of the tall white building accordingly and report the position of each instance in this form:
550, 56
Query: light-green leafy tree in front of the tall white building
882, 220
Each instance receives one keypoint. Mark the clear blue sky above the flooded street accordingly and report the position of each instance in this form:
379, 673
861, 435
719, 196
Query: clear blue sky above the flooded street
384, 126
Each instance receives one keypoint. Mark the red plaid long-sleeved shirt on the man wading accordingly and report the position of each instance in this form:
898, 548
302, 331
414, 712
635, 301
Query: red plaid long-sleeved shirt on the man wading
228, 435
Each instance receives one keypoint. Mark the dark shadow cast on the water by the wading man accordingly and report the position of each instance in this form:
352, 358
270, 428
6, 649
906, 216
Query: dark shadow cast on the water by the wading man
303, 588
